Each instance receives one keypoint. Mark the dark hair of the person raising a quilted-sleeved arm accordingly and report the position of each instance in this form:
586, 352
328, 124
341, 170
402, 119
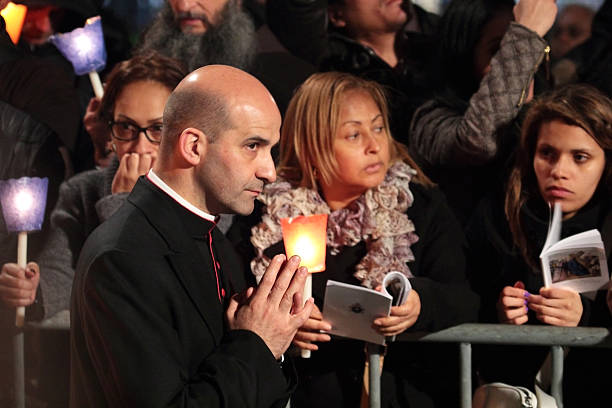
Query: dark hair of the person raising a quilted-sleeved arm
459, 30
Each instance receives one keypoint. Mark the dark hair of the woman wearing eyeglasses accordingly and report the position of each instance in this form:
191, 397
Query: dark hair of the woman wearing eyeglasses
151, 66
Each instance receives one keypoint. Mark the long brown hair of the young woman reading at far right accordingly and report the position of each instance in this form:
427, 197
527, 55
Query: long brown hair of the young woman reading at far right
576, 105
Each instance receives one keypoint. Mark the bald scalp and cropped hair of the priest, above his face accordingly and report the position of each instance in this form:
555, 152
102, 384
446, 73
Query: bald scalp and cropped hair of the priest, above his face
206, 100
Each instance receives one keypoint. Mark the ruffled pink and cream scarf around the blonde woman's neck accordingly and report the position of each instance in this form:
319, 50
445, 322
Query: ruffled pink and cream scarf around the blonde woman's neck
377, 217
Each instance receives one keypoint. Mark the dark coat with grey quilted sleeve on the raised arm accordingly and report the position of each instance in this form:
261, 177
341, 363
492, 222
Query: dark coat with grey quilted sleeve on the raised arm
466, 146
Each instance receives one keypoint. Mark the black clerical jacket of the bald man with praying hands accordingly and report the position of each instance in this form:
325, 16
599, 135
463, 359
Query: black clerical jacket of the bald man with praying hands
148, 329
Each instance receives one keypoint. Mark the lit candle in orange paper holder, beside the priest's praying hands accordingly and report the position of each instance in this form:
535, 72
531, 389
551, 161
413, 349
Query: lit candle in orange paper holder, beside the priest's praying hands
306, 236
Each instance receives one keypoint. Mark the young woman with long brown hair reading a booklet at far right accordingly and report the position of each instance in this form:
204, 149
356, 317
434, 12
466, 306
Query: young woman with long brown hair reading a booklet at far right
565, 157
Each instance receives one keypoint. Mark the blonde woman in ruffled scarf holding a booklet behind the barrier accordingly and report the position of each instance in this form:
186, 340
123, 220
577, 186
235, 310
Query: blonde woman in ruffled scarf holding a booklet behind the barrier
338, 157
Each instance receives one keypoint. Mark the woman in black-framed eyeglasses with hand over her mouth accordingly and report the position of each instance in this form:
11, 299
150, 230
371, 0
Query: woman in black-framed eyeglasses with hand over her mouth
132, 107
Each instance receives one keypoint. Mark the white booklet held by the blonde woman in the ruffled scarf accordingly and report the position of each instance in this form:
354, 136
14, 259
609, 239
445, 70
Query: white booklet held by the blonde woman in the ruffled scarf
351, 309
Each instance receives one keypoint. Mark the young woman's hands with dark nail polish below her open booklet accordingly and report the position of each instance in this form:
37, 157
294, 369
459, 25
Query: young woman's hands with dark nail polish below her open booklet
554, 306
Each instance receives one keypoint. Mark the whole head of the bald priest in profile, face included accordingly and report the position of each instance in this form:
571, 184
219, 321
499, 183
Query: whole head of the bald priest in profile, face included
220, 125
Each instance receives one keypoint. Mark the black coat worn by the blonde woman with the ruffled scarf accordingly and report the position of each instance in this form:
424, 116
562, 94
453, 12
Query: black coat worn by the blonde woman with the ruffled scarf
415, 375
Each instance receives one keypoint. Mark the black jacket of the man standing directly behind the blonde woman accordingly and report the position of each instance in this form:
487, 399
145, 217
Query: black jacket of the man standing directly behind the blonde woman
302, 27
